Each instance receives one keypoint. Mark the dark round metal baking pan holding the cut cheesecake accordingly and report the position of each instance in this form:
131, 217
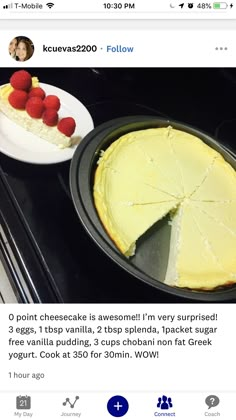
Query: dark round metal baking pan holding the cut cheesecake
149, 262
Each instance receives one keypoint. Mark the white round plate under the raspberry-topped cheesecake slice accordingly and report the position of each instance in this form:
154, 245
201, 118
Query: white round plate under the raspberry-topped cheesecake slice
19, 144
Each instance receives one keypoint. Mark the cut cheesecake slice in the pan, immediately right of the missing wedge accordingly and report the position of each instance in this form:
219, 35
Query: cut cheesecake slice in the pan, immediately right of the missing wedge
199, 258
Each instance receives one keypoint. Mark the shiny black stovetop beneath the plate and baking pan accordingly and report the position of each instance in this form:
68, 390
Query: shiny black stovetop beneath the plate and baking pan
59, 260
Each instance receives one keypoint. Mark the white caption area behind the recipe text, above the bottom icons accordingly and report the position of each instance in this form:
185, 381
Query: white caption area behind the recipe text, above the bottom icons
176, 366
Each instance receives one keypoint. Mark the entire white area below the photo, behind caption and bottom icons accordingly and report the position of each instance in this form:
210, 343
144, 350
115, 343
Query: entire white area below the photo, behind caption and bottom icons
188, 374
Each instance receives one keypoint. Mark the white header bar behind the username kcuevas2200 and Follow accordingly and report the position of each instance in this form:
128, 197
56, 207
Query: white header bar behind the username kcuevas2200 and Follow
156, 49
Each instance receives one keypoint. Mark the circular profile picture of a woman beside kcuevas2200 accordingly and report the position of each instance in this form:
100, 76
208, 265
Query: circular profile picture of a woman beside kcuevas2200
21, 48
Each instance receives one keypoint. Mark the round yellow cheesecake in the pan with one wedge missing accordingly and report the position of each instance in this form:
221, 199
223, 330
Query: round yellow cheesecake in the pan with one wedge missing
148, 174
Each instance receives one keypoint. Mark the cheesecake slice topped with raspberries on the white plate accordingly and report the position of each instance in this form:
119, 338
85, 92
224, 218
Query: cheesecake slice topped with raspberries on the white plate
34, 125
